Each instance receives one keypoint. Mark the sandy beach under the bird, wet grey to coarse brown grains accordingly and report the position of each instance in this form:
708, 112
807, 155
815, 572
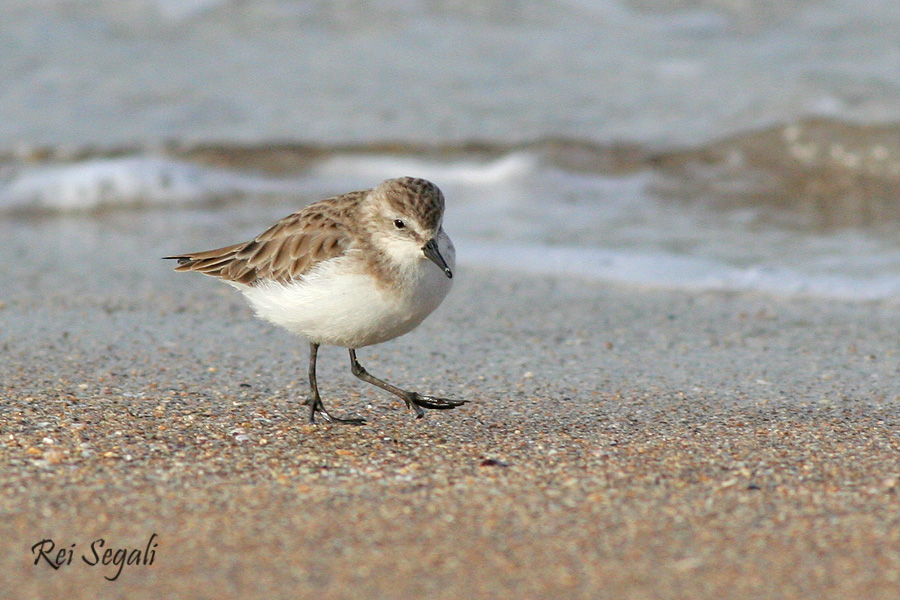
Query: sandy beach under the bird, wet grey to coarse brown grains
619, 443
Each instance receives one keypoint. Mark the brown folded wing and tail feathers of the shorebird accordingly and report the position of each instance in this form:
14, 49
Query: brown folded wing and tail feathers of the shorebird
285, 251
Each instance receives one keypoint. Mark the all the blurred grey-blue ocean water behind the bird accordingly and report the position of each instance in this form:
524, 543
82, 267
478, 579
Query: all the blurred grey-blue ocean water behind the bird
681, 144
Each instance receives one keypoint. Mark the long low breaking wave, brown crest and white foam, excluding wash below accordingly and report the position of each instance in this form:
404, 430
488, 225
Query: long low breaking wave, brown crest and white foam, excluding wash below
812, 174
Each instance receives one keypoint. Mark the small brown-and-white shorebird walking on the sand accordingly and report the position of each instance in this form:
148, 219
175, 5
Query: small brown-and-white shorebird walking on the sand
352, 271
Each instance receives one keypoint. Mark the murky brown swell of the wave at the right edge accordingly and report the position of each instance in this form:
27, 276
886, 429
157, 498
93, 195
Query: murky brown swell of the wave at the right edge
813, 174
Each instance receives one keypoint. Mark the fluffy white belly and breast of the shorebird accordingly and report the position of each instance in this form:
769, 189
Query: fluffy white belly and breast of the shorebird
336, 306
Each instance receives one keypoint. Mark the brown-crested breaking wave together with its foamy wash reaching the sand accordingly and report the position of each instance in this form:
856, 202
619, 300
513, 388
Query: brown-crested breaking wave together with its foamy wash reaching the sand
808, 208
